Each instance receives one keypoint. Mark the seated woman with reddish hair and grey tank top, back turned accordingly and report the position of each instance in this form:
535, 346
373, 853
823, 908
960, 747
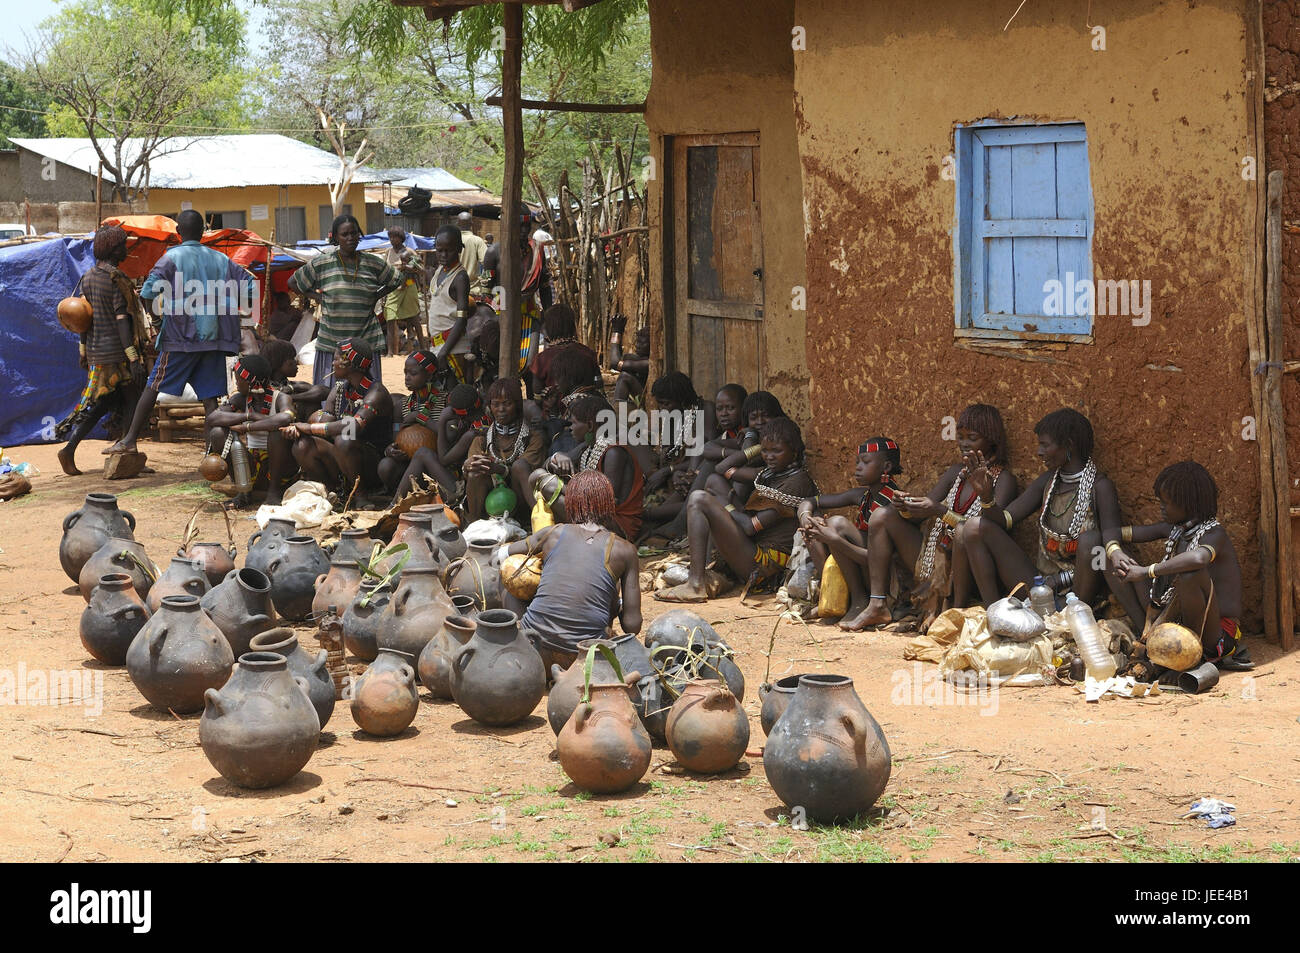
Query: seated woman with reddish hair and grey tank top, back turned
590, 575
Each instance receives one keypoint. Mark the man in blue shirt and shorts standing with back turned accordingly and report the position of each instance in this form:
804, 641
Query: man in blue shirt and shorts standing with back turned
201, 296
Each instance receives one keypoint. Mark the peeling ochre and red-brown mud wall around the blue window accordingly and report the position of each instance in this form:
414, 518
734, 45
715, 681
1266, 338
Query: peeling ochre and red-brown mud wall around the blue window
878, 94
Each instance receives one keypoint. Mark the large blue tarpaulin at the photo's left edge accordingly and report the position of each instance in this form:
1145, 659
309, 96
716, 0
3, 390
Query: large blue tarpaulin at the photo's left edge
38, 357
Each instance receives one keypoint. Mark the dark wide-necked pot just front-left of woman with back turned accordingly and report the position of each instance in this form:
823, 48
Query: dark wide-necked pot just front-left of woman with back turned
499, 677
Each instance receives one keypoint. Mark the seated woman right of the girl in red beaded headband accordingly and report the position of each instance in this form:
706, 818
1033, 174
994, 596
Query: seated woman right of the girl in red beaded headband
896, 530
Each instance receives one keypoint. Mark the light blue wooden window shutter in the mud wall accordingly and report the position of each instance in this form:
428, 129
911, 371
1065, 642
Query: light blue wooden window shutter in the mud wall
1032, 223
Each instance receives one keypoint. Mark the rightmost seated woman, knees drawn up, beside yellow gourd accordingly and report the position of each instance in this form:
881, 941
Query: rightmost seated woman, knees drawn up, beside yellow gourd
1198, 584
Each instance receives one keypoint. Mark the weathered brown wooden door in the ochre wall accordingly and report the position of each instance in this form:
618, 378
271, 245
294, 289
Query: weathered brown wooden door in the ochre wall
718, 268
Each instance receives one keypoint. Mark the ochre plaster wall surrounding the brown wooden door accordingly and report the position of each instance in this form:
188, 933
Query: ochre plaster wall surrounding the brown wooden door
727, 67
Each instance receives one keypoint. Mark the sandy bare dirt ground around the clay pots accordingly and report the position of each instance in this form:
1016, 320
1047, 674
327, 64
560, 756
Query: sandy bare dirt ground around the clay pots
1030, 774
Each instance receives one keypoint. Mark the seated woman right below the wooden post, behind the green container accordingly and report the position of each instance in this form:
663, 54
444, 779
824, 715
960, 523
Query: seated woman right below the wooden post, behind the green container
509, 452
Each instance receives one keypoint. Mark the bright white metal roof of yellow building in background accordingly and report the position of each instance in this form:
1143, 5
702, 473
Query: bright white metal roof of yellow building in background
215, 162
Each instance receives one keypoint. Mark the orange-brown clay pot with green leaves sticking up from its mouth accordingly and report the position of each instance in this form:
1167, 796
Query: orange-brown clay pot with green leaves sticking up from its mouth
604, 748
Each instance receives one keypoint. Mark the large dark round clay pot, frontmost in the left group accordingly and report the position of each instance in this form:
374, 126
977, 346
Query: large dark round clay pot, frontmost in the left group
261, 729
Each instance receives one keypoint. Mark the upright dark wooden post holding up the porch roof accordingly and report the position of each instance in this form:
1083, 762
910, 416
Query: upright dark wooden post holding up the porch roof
513, 188
